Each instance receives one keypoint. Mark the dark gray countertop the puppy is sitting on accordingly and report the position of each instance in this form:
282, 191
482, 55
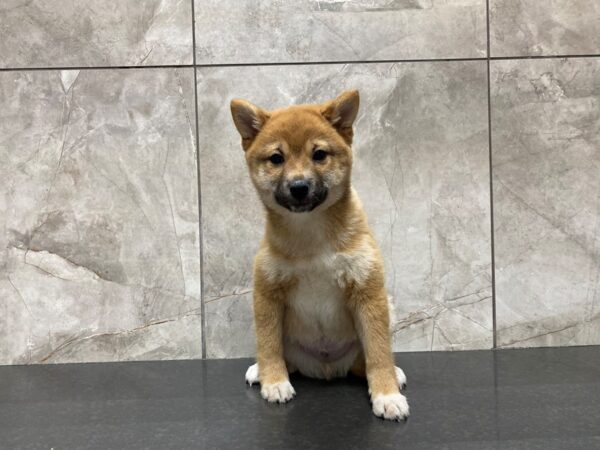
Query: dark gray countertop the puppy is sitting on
522, 399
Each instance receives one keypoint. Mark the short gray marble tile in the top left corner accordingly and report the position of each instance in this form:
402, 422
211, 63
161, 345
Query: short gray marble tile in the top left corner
88, 33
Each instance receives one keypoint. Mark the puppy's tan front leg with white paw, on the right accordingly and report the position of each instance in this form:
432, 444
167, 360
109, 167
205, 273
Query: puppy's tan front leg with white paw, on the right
371, 316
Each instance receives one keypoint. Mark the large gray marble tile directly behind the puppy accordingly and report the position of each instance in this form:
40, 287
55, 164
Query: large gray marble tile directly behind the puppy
421, 168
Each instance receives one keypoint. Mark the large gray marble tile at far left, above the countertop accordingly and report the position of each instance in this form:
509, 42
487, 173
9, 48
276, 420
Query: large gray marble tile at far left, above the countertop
99, 234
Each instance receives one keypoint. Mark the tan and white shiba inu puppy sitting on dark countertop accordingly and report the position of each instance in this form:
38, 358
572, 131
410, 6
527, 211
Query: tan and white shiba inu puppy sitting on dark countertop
320, 305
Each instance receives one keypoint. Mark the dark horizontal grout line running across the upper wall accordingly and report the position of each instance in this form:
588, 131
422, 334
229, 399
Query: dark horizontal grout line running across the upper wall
195, 65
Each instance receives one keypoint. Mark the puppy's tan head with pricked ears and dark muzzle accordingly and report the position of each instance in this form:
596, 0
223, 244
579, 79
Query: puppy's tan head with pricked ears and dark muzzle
299, 157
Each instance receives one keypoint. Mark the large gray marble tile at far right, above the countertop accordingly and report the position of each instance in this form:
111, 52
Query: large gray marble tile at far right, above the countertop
546, 167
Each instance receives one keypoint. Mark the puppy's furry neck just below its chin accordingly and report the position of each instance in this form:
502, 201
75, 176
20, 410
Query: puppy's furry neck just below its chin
298, 235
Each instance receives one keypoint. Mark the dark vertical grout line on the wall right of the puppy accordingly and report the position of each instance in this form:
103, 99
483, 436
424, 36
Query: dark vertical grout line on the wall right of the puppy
492, 237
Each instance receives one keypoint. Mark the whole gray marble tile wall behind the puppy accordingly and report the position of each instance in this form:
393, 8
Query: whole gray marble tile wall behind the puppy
127, 235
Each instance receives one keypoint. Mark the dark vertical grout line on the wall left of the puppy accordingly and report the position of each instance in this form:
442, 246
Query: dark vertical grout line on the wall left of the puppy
198, 175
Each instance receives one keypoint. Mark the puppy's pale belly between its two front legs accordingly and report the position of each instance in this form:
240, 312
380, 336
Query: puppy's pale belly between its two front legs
320, 339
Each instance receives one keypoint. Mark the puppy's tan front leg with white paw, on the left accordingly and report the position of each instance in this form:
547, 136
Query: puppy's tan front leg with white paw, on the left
269, 309
